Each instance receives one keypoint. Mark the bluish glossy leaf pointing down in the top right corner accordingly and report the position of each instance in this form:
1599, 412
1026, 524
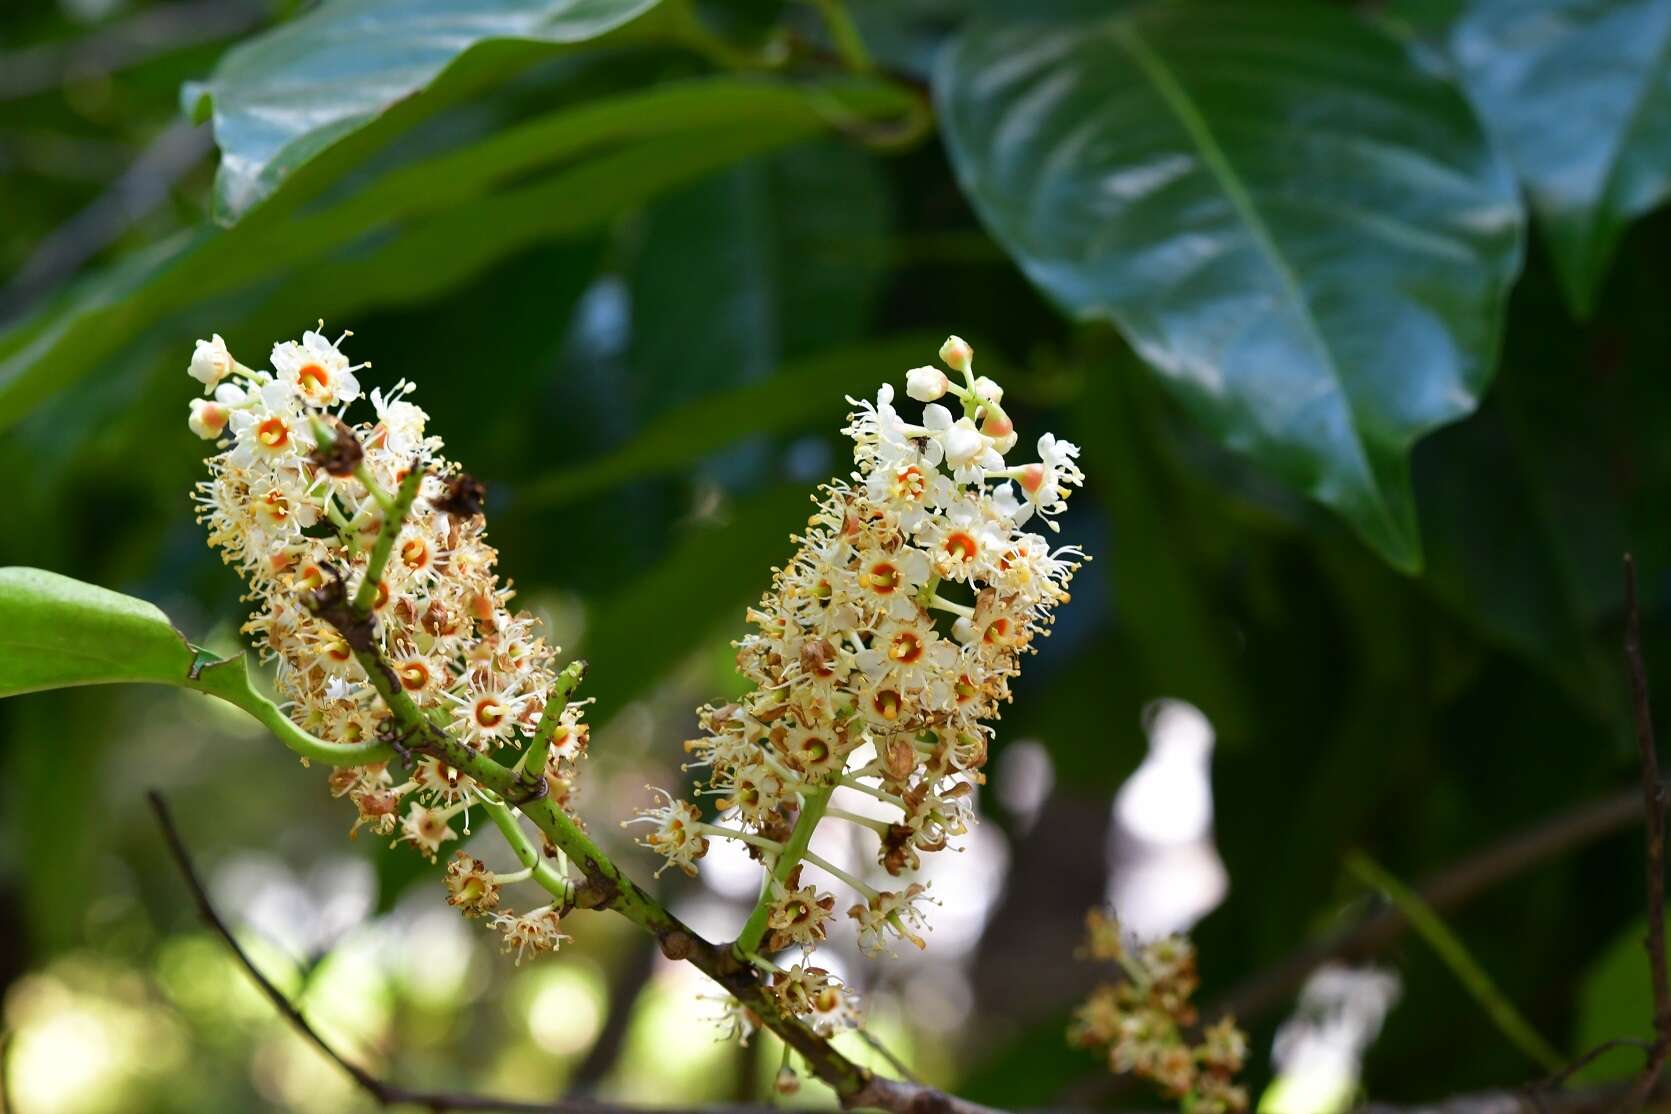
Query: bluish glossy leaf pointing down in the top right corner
1578, 94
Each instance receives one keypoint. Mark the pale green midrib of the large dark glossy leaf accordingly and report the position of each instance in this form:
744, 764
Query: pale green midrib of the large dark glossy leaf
1184, 108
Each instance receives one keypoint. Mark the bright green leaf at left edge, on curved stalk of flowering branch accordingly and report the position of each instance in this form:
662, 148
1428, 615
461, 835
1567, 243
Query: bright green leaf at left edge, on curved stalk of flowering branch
58, 632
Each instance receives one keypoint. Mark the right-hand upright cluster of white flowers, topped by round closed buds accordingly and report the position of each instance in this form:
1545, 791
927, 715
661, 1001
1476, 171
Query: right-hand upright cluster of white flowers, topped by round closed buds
881, 654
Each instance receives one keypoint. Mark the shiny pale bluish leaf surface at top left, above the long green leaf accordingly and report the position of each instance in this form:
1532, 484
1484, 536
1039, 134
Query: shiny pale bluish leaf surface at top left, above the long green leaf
288, 94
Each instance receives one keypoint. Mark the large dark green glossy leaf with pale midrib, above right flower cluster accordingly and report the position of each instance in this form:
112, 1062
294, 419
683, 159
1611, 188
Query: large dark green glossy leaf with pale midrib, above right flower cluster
1303, 233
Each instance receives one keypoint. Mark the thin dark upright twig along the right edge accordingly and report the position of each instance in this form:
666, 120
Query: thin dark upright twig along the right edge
1653, 811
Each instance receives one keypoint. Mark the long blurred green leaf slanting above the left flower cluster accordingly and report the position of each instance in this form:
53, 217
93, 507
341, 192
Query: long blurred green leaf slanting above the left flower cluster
435, 221
